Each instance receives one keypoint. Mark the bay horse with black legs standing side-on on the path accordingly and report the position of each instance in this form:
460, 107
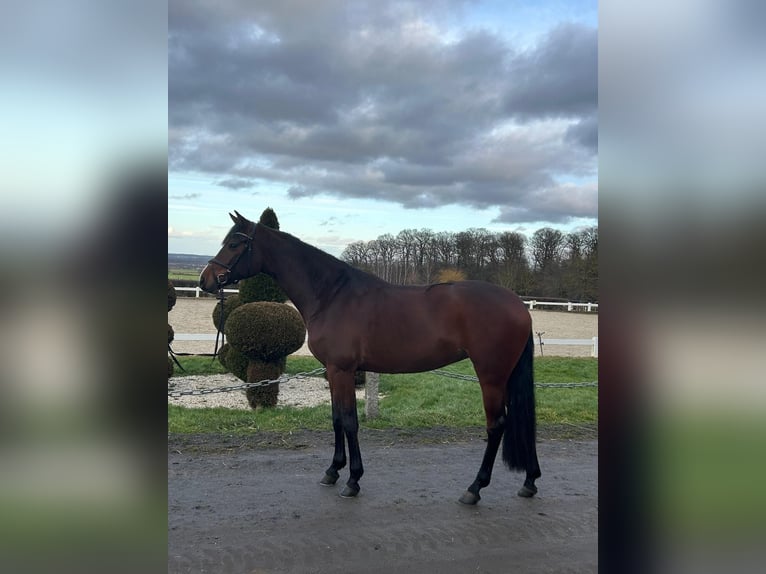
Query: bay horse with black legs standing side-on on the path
357, 321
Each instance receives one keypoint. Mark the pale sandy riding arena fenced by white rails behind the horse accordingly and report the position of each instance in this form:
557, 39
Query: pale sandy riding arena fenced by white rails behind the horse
192, 315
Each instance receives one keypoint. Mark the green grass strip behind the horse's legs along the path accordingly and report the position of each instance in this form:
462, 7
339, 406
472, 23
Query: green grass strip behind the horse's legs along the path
407, 401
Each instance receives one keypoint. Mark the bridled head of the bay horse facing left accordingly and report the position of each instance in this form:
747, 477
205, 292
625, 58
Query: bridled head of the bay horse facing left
238, 258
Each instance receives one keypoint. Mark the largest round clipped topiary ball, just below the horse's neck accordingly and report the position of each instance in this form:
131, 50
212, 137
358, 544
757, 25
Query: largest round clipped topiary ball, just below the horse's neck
265, 331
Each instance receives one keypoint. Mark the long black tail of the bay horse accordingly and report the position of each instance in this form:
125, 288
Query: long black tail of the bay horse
519, 452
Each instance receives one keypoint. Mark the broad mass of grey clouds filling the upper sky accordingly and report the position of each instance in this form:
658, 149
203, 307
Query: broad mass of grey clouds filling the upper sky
351, 102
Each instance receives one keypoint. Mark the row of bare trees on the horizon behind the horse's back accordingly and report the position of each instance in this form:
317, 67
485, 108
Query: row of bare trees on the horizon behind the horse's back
549, 264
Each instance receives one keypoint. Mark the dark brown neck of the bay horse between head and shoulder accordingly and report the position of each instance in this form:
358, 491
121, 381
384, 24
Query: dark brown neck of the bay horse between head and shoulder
294, 273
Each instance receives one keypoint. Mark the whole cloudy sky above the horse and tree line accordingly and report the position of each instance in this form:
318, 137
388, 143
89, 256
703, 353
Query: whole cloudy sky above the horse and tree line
354, 119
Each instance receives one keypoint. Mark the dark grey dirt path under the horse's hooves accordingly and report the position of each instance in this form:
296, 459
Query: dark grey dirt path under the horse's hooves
237, 508
